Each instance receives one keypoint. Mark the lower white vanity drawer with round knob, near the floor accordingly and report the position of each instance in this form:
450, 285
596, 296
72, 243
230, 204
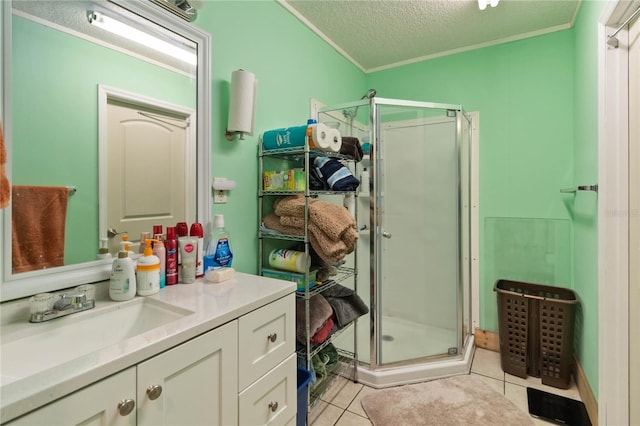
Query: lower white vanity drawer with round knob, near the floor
272, 400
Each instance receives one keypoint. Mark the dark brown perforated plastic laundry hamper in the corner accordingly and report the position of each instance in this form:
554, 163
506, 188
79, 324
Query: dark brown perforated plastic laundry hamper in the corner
536, 327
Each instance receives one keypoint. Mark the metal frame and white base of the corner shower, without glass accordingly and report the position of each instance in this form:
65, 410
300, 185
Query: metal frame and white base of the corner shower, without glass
377, 373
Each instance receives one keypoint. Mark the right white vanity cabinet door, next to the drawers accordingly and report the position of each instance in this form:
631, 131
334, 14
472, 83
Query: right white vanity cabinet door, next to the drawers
198, 382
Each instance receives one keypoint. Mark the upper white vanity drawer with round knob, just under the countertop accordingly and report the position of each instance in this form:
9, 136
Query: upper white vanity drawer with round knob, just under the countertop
266, 337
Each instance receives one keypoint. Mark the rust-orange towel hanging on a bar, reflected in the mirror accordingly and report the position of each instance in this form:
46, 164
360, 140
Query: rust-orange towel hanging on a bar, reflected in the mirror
39, 215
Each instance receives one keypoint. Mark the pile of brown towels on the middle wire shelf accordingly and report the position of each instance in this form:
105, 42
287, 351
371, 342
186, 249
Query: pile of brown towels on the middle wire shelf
332, 229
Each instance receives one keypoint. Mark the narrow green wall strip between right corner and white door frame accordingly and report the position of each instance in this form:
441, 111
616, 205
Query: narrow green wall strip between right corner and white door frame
584, 206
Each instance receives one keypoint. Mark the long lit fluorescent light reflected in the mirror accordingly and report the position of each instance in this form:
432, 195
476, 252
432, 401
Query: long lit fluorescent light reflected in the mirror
112, 25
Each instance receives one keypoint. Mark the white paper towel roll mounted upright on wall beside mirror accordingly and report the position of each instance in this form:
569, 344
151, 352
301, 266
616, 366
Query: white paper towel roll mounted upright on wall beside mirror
242, 99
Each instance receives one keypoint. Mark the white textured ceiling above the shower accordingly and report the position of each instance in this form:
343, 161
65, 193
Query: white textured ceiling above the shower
379, 34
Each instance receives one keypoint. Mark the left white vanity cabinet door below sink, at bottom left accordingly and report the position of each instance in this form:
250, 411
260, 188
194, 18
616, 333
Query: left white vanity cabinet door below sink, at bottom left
97, 404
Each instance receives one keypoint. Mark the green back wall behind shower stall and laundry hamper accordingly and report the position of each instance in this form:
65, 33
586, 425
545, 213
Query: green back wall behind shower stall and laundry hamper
524, 93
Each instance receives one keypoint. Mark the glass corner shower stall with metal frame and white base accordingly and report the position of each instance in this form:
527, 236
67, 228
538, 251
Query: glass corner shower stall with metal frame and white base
413, 215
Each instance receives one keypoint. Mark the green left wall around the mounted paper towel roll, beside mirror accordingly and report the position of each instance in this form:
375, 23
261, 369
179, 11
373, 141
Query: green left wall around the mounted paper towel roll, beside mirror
291, 64
